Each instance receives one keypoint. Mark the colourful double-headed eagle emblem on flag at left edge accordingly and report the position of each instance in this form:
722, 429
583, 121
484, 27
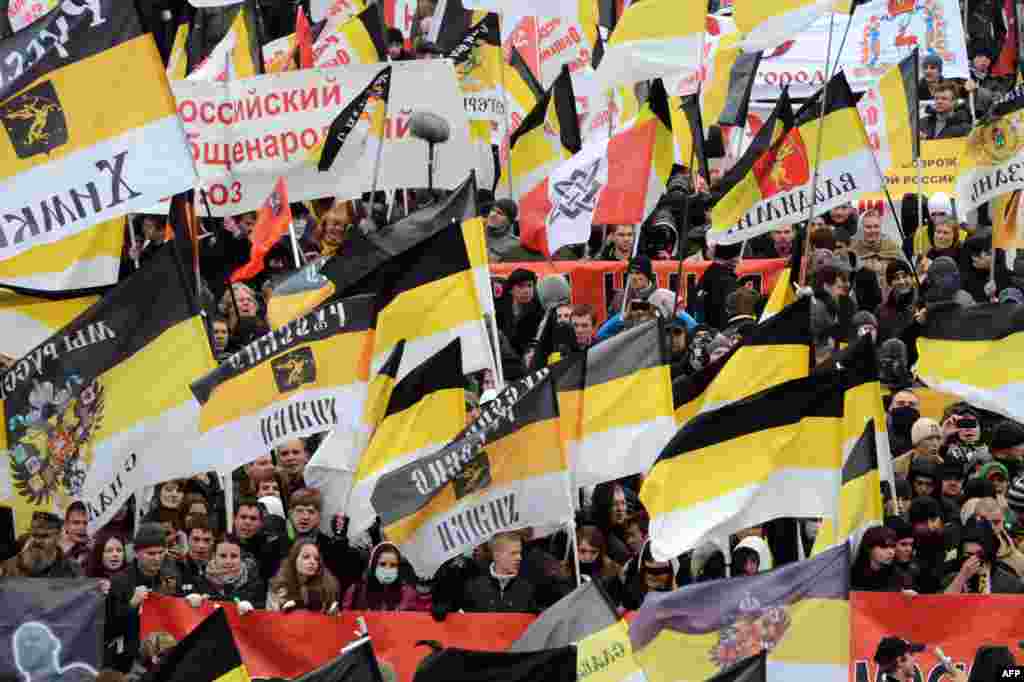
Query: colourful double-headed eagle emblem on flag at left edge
52, 446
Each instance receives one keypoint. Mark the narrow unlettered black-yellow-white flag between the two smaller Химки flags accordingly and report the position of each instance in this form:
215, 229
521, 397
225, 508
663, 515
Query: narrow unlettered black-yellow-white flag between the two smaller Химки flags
423, 411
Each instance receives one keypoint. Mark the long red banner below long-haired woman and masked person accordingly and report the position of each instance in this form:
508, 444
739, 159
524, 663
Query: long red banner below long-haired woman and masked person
291, 645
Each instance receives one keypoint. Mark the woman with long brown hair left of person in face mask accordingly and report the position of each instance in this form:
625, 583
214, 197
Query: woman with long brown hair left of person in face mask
304, 582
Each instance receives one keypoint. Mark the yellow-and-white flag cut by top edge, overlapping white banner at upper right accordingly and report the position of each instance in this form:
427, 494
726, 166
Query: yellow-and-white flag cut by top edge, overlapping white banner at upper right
767, 25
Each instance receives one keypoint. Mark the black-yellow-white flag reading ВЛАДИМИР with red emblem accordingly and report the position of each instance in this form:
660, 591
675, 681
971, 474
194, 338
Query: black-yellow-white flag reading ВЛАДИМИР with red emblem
774, 188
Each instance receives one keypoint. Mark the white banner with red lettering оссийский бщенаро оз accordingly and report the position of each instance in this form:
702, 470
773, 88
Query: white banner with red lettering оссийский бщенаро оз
245, 135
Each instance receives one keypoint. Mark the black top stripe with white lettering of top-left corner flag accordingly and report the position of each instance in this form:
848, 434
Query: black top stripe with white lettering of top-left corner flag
69, 33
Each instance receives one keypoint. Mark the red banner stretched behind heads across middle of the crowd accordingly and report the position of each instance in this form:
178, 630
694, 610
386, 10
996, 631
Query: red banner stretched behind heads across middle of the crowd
596, 282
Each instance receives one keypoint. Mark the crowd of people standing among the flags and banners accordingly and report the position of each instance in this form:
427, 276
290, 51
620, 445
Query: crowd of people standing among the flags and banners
955, 520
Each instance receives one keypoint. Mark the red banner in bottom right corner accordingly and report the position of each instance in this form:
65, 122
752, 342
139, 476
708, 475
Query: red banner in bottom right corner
957, 624
